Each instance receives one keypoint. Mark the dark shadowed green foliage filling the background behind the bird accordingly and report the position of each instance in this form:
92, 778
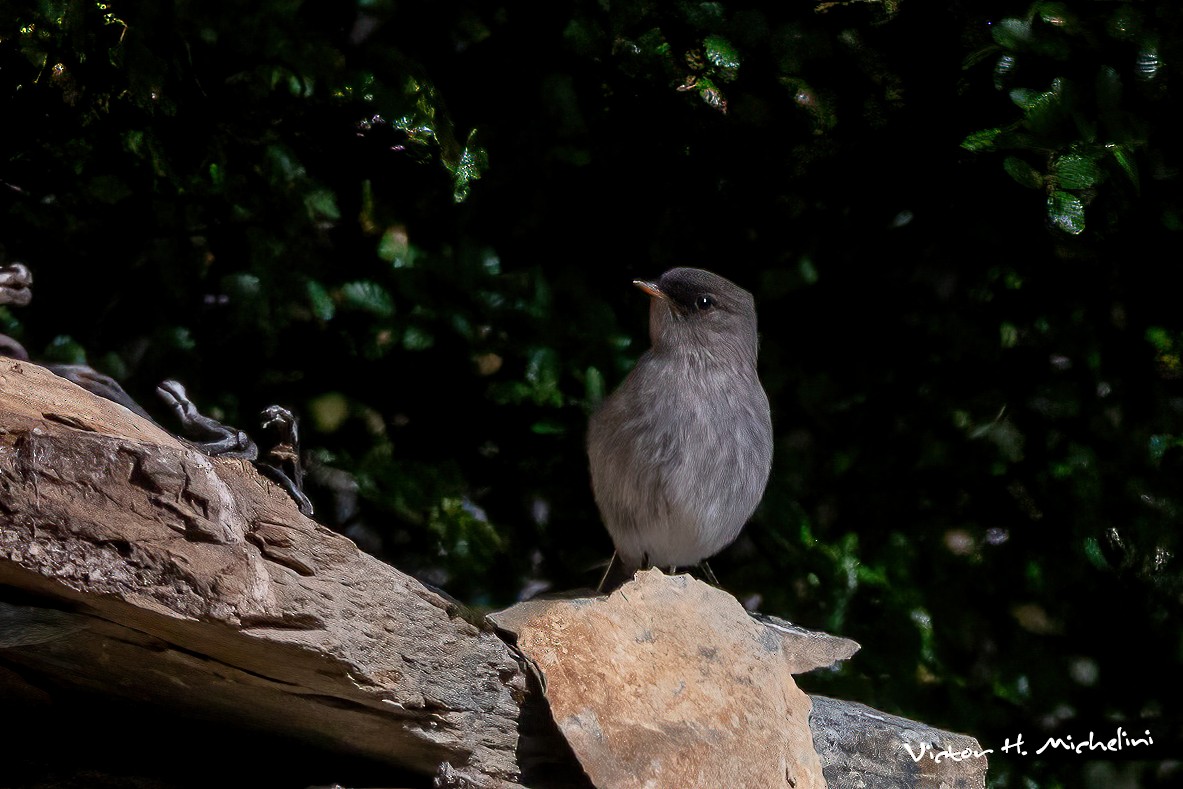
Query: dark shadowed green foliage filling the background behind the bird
417, 223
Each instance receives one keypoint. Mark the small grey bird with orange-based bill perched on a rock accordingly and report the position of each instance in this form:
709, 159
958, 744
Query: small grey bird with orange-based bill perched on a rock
681, 452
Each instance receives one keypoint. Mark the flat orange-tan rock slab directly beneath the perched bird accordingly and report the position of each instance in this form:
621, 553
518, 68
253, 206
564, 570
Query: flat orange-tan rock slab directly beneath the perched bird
670, 683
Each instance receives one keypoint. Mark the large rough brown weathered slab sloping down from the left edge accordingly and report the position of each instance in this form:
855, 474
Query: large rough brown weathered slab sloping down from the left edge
196, 584
